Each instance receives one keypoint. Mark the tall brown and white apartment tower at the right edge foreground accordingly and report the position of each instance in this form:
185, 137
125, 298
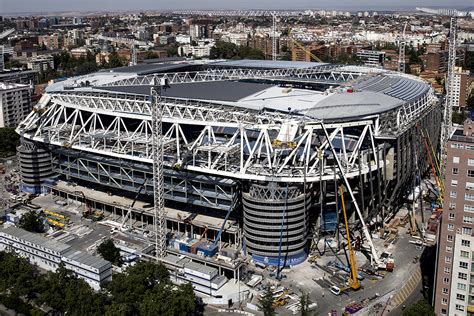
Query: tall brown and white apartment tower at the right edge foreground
454, 291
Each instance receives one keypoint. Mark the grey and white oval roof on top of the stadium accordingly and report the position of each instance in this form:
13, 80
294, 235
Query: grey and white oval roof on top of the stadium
344, 92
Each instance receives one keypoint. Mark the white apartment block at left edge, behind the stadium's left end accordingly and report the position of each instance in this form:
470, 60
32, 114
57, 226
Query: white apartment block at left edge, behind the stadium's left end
15, 103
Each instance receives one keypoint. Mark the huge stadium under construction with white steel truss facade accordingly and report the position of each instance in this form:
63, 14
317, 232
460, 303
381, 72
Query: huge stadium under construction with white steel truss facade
254, 151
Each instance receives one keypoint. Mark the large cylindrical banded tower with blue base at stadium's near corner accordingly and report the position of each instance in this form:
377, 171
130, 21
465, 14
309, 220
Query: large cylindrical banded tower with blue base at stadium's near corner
276, 223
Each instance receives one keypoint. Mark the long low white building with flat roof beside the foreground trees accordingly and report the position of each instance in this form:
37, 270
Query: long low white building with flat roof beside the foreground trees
48, 254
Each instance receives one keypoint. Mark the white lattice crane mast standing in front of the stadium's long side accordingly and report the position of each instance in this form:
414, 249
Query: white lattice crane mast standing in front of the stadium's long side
159, 221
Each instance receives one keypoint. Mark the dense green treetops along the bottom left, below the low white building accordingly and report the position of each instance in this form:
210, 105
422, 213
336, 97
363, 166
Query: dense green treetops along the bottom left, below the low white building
144, 289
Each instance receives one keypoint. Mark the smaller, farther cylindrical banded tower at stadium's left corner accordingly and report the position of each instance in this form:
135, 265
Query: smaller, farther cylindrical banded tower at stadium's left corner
35, 166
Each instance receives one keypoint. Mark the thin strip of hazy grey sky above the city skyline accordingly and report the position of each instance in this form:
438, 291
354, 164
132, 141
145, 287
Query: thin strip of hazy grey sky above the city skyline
17, 6
